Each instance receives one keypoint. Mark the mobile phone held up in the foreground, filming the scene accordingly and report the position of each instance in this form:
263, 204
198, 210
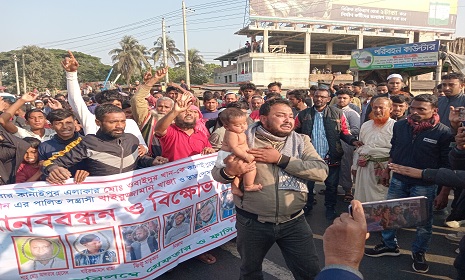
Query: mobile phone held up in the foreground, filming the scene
395, 213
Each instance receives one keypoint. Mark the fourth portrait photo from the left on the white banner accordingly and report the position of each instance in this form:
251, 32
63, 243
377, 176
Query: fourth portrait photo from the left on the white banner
177, 225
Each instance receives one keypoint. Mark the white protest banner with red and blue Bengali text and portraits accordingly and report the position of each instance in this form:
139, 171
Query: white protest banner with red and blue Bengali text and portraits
134, 225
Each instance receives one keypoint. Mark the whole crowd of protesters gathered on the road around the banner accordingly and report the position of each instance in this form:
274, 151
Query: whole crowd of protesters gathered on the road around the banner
375, 140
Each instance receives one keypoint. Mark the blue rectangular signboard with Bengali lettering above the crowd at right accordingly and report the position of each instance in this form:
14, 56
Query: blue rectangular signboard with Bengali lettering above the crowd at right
423, 54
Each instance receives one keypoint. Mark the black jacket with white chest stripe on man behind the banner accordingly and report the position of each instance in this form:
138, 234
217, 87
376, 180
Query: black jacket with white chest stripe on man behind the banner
102, 155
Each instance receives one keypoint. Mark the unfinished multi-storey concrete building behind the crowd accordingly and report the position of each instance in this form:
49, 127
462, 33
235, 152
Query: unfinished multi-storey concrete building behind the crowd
292, 52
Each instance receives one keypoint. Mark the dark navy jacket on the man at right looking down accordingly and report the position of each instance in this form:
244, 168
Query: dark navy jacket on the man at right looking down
428, 149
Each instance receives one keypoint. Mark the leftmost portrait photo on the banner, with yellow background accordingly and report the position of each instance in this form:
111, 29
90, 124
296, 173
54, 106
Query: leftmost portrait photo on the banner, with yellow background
39, 253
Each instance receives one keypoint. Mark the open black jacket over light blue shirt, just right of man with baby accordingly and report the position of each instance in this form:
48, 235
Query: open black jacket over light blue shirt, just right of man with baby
335, 125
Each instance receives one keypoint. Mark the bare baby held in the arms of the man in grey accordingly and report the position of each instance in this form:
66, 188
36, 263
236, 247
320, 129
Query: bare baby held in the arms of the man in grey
235, 141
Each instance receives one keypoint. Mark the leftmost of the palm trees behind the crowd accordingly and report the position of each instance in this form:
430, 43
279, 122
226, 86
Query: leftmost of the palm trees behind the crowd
130, 58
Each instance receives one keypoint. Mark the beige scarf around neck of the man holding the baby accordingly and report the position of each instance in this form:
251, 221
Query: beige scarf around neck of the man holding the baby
293, 147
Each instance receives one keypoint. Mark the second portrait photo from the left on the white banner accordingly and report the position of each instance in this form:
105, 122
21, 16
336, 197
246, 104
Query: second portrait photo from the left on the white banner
93, 248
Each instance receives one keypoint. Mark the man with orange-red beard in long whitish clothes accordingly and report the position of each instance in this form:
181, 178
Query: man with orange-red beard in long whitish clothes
372, 158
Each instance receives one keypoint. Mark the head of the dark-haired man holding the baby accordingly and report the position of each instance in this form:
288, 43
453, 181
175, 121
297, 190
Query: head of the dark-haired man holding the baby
280, 120
